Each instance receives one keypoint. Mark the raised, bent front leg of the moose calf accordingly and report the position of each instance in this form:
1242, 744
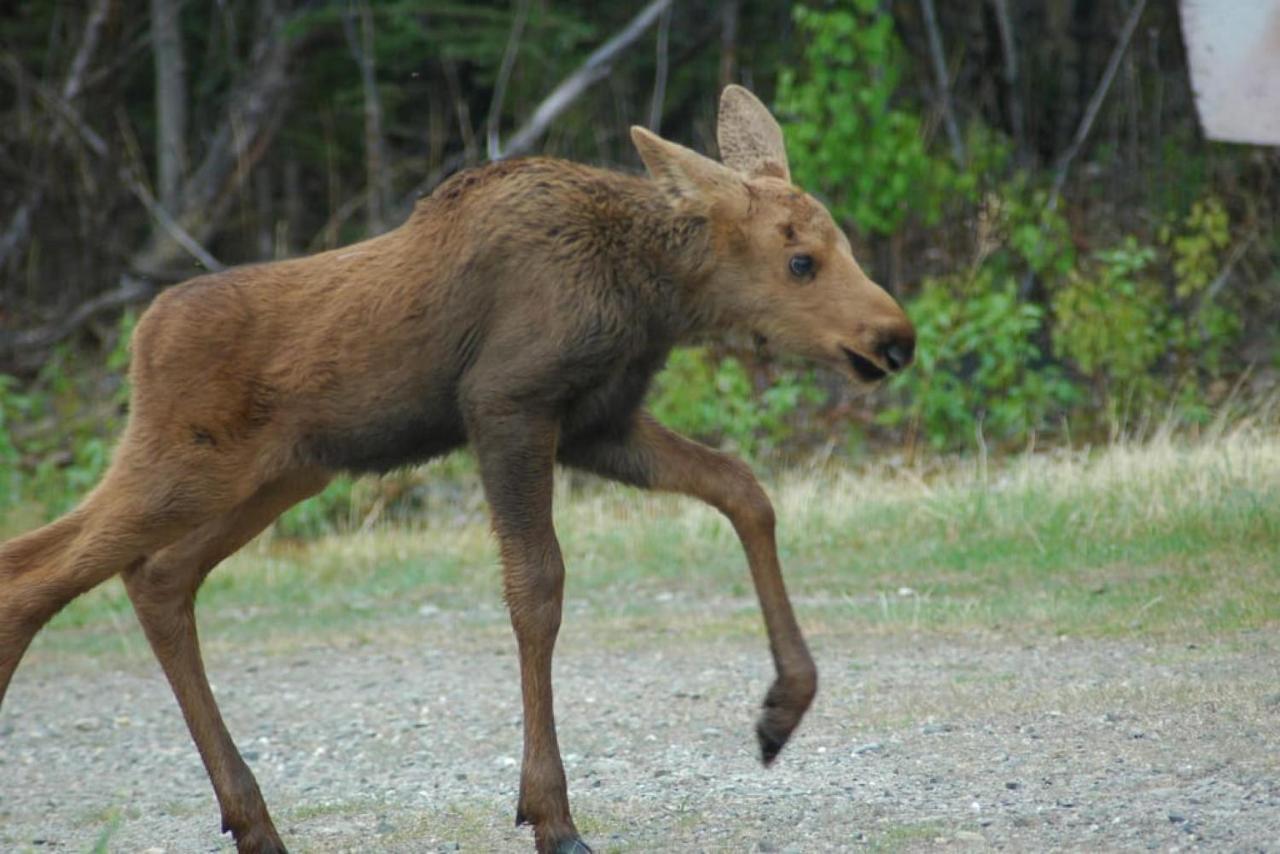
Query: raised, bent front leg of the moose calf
653, 458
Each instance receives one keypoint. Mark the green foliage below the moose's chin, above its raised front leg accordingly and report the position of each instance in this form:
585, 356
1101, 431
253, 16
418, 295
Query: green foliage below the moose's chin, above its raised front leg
717, 401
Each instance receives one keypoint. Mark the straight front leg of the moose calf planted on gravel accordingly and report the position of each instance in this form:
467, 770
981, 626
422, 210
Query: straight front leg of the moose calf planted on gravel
518, 456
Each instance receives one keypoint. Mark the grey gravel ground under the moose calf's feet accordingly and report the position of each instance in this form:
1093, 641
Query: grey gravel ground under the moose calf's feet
409, 741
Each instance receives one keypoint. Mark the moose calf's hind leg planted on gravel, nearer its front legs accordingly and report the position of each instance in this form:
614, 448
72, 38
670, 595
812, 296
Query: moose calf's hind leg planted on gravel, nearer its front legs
163, 592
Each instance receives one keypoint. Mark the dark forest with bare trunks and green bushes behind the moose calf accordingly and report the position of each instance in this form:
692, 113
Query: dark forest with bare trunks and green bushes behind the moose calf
1028, 179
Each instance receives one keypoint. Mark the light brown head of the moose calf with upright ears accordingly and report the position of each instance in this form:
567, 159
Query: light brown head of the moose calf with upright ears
781, 268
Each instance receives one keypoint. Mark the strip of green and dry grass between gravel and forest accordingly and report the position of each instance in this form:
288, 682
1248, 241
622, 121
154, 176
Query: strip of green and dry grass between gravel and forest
1159, 540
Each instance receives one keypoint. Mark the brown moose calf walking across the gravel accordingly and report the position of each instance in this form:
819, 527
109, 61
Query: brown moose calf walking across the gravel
523, 309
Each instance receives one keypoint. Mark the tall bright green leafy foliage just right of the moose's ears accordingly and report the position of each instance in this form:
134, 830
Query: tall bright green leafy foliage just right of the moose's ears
845, 134
